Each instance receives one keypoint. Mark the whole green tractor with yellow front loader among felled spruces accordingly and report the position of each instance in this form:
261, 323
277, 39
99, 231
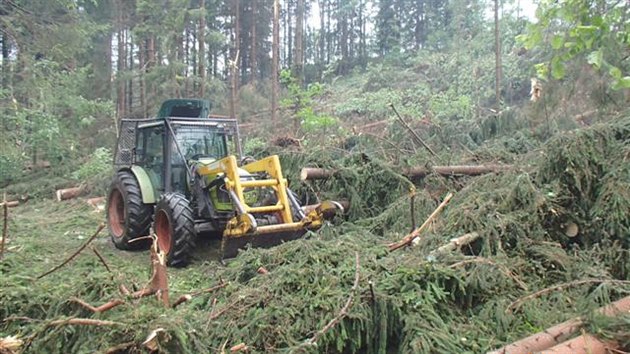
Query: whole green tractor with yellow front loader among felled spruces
179, 174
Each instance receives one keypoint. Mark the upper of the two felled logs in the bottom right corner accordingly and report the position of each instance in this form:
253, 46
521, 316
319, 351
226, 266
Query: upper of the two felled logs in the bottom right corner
557, 334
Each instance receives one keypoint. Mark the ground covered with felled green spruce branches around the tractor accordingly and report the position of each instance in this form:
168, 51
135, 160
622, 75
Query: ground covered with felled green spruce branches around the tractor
342, 289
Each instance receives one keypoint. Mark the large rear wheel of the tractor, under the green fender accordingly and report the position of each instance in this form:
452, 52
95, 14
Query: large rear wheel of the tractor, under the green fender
127, 217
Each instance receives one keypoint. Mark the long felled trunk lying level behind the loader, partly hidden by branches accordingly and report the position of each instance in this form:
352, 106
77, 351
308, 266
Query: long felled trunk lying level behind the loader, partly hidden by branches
312, 173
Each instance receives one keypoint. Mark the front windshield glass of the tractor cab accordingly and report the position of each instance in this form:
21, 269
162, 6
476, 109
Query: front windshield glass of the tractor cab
198, 141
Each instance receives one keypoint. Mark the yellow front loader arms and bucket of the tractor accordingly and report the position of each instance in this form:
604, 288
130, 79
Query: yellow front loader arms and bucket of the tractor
263, 225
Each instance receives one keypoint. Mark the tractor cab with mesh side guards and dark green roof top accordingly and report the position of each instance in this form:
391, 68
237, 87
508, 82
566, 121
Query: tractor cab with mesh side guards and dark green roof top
167, 147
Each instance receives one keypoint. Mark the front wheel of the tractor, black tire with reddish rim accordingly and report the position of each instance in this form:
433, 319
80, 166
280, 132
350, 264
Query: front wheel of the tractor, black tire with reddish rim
174, 227
